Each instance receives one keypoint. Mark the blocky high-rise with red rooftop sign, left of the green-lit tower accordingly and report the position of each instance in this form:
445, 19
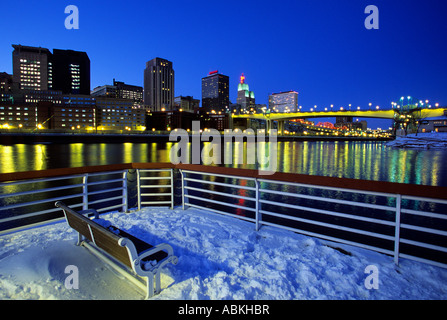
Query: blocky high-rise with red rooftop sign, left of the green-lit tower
216, 92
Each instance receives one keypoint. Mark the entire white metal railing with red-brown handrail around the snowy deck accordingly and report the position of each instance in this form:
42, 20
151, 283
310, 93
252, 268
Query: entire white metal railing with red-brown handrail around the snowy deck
405, 221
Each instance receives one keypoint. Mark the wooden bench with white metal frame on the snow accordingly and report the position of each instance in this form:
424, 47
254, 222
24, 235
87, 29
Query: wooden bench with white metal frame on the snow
129, 255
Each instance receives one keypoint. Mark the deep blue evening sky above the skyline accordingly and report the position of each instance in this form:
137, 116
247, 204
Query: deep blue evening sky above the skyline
319, 48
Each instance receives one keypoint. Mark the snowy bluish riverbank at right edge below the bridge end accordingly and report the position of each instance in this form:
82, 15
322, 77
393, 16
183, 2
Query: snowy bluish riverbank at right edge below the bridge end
421, 140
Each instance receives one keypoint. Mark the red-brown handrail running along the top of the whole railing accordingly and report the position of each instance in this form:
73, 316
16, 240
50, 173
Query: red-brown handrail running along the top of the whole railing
415, 190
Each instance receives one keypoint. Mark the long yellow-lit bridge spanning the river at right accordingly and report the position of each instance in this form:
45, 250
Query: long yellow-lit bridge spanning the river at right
392, 114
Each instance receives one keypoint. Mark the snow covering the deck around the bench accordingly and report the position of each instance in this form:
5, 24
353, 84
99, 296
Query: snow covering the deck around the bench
219, 258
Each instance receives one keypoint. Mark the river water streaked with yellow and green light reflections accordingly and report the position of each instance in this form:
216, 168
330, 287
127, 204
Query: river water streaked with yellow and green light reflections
358, 160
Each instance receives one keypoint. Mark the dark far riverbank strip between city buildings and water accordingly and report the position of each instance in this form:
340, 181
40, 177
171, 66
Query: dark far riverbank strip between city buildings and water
57, 138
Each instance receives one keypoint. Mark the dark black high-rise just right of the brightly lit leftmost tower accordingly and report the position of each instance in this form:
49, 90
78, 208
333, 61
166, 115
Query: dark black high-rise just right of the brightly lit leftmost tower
71, 72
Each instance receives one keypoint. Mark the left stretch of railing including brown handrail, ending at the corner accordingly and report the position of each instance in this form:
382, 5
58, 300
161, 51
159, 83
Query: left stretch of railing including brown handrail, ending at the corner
27, 198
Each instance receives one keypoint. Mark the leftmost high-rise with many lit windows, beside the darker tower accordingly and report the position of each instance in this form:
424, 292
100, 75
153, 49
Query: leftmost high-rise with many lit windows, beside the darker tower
32, 67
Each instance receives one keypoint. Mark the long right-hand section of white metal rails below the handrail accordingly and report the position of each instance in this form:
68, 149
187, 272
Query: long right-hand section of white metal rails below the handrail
368, 219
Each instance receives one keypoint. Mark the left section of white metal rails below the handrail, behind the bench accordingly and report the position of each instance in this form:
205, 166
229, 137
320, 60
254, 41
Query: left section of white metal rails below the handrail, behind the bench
33, 203
